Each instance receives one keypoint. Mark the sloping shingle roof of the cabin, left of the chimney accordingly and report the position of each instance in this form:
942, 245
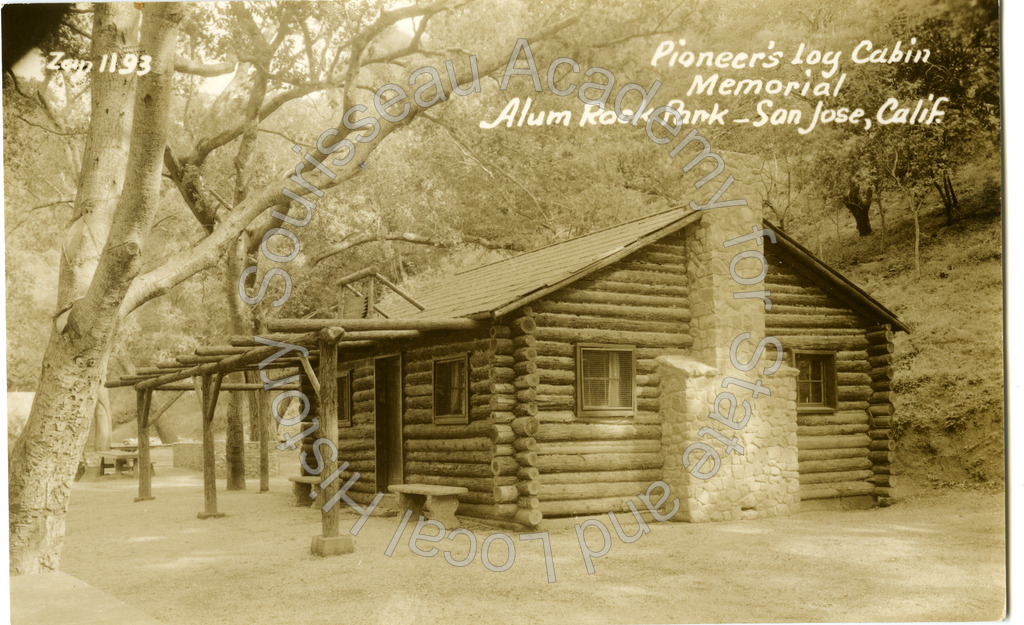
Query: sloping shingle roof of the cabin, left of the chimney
514, 282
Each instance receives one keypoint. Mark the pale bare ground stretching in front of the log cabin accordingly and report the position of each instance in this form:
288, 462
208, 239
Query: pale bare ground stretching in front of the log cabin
937, 556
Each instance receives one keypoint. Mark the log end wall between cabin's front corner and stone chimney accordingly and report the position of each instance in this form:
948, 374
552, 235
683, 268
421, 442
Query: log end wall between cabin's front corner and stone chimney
595, 466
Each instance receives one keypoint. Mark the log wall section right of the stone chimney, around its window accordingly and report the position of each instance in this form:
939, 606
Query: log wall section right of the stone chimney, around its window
835, 447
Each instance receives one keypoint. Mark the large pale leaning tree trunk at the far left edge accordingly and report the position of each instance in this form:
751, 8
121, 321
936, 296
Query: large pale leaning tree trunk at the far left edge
47, 455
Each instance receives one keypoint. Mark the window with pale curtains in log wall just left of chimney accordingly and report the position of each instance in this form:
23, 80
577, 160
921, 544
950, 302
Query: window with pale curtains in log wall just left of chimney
607, 386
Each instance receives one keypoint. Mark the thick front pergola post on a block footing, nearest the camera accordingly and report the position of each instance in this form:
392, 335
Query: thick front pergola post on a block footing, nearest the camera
330, 543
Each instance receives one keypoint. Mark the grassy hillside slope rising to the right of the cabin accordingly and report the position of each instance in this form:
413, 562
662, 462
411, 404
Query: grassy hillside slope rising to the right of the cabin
950, 369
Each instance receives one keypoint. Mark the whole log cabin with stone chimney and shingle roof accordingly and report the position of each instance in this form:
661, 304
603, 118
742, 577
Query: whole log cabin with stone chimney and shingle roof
704, 350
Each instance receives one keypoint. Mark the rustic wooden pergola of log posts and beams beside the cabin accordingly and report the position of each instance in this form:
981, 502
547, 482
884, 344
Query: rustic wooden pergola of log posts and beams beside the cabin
204, 372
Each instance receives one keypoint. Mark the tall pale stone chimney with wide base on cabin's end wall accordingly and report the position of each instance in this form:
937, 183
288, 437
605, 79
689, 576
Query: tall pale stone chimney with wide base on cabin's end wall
720, 464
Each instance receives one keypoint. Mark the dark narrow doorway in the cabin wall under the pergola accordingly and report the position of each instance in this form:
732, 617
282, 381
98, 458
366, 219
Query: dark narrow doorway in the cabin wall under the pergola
388, 422
